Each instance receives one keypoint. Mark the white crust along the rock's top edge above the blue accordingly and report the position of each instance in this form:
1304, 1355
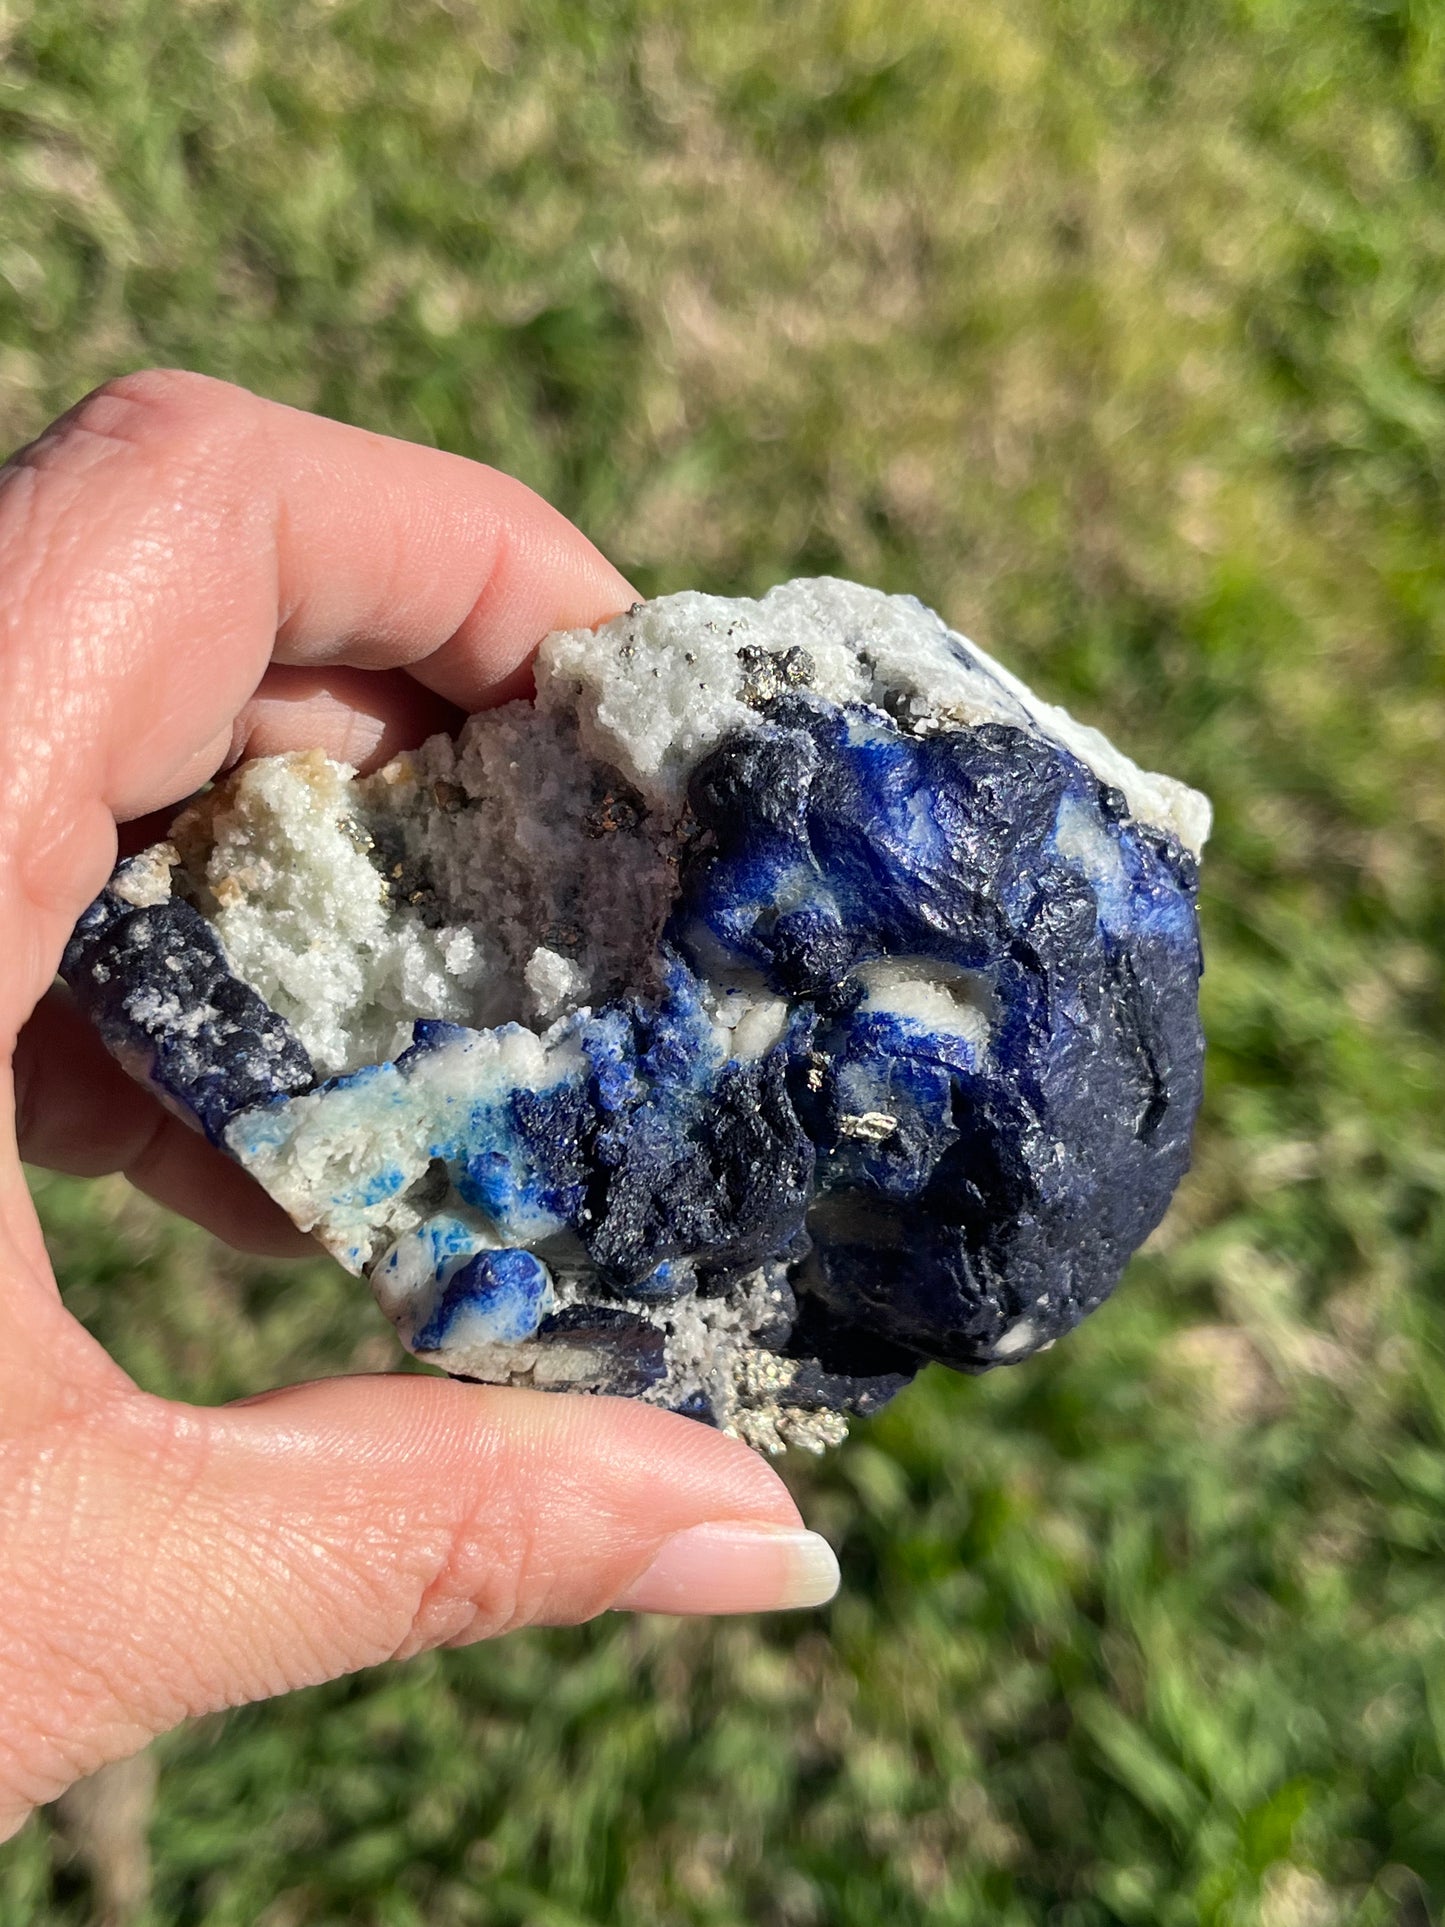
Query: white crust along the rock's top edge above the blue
660, 687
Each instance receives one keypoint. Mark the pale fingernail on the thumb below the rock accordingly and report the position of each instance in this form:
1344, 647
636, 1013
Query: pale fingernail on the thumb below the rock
735, 1568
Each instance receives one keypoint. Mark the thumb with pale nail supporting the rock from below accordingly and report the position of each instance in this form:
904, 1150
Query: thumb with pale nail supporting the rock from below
161, 1562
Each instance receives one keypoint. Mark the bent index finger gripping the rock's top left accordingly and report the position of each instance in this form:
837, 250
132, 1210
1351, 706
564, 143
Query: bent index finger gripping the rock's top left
171, 537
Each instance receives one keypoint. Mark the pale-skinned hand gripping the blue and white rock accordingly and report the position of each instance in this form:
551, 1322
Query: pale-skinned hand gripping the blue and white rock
192, 575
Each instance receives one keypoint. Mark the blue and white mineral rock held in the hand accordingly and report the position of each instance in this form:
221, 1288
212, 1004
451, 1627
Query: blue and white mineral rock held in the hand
783, 999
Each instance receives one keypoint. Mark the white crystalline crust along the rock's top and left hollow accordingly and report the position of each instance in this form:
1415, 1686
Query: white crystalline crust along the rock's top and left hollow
525, 870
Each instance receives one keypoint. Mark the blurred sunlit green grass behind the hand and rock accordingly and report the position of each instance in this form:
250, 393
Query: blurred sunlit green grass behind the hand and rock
1118, 334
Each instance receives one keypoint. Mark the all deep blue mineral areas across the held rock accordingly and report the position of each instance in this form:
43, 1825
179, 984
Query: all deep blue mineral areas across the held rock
976, 1107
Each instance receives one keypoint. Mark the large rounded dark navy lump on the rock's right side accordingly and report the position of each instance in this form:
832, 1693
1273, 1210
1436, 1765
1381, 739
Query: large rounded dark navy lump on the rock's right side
1022, 1153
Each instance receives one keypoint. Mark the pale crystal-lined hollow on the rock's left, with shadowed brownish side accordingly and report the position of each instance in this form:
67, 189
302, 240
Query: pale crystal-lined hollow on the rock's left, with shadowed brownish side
492, 880
